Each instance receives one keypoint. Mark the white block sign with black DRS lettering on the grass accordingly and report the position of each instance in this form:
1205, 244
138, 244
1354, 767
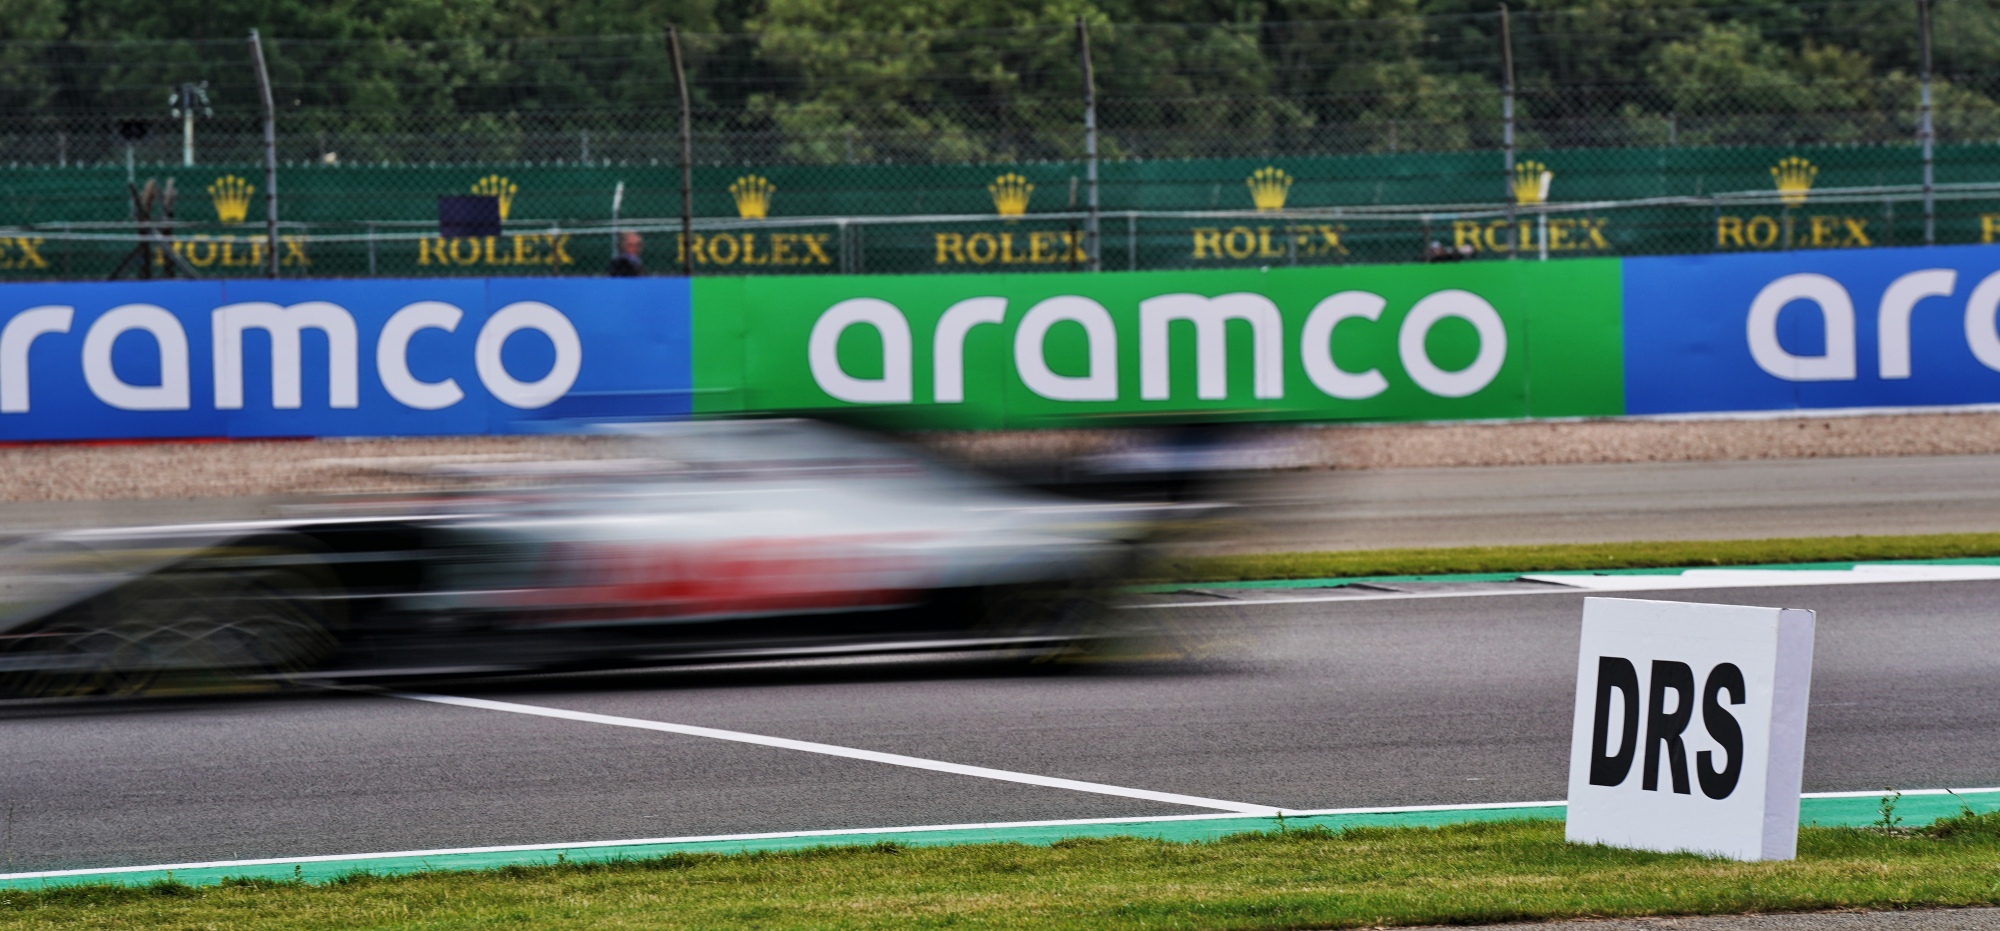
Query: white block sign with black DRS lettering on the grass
1691, 728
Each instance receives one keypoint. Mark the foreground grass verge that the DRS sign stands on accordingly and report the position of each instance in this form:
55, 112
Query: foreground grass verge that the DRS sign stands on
1397, 876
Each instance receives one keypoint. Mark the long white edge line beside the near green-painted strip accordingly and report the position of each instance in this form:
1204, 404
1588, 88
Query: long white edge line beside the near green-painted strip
839, 832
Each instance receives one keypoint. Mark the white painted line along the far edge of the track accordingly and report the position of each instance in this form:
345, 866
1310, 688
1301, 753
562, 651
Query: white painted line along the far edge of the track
1867, 574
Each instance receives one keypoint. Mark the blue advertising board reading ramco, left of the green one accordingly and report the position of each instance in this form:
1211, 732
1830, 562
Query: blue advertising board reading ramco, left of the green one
251, 359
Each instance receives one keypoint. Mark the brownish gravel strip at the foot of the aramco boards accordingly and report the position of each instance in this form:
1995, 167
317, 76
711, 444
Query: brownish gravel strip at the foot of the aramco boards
153, 470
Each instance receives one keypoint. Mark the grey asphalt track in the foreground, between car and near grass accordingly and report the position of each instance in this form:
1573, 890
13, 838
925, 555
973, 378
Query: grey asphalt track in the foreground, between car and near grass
1309, 706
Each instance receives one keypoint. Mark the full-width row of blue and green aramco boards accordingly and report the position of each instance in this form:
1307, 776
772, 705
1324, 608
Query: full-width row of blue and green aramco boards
1477, 341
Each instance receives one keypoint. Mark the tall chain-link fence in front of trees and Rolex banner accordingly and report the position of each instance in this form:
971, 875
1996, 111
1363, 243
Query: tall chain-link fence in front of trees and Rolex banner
945, 151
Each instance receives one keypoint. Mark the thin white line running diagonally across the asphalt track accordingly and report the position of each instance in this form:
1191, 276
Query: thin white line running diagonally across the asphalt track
831, 750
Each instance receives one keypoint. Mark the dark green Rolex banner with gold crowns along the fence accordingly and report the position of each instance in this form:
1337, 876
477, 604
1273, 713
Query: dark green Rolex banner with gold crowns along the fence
979, 219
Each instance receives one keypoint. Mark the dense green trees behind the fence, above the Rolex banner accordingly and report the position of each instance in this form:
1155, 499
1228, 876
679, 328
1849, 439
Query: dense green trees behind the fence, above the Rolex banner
997, 81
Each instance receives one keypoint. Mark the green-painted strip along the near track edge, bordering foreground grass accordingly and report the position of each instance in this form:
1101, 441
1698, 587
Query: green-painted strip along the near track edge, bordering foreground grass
1821, 812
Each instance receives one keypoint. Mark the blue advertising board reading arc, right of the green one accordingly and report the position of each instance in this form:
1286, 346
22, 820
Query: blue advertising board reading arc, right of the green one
1813, 331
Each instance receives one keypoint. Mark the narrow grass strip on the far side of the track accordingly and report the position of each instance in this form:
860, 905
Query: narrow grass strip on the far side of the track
1573, 556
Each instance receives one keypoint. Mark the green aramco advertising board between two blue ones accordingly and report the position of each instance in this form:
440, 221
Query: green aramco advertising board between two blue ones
1037, 351
